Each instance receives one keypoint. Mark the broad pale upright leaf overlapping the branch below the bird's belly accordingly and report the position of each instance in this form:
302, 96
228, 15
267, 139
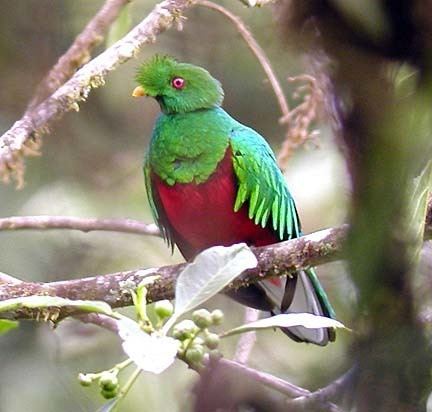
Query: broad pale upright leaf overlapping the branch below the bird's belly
207, 275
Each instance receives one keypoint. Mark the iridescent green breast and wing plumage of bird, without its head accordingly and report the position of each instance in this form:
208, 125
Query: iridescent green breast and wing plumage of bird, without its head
174, 155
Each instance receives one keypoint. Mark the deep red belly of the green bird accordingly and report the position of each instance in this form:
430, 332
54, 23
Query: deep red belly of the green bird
202, 215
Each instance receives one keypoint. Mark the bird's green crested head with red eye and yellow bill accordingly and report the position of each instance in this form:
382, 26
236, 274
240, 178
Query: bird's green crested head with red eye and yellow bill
178, 87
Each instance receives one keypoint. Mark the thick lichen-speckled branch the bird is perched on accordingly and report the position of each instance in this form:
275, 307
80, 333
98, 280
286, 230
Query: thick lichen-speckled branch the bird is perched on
114, 289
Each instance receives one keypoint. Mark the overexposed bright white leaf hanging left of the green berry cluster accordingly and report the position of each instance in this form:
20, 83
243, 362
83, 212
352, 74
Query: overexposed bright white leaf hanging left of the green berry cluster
151, 353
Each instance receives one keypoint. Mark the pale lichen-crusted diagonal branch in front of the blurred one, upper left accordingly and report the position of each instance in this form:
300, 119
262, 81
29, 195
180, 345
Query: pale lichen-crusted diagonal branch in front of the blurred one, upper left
23, 138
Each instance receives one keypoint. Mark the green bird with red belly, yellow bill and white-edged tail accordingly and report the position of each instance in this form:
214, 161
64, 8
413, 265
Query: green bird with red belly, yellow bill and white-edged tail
211, 180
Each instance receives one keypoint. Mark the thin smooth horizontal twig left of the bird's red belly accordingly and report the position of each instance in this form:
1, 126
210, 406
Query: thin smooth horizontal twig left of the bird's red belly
75, 223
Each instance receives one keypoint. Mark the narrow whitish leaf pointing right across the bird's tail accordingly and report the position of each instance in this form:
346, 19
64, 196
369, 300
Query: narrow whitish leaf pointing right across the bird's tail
287, 320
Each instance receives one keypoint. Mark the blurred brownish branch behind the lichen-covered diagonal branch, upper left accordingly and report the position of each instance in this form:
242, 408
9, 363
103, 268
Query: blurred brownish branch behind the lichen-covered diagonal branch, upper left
79, 52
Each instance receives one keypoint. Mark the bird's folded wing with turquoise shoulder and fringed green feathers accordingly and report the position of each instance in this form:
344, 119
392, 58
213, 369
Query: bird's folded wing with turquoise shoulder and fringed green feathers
262, 184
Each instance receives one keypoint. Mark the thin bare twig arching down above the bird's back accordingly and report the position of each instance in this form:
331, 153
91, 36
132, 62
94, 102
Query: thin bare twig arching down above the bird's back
256, 50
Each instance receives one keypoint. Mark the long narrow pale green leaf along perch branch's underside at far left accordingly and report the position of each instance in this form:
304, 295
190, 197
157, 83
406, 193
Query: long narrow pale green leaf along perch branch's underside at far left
36, 302
